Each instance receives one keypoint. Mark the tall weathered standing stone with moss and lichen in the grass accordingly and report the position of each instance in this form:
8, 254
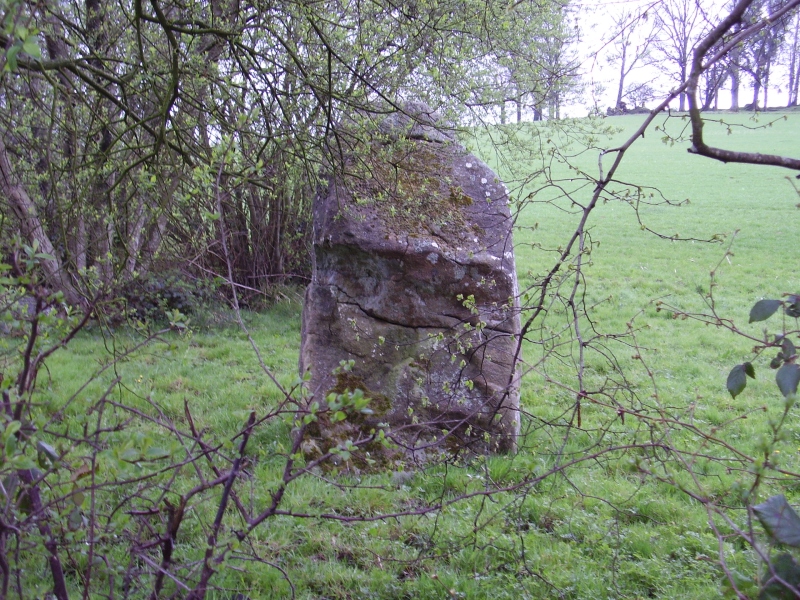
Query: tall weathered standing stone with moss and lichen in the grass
414, 281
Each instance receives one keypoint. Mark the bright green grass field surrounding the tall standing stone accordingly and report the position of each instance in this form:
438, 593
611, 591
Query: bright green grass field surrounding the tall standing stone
605, 529
